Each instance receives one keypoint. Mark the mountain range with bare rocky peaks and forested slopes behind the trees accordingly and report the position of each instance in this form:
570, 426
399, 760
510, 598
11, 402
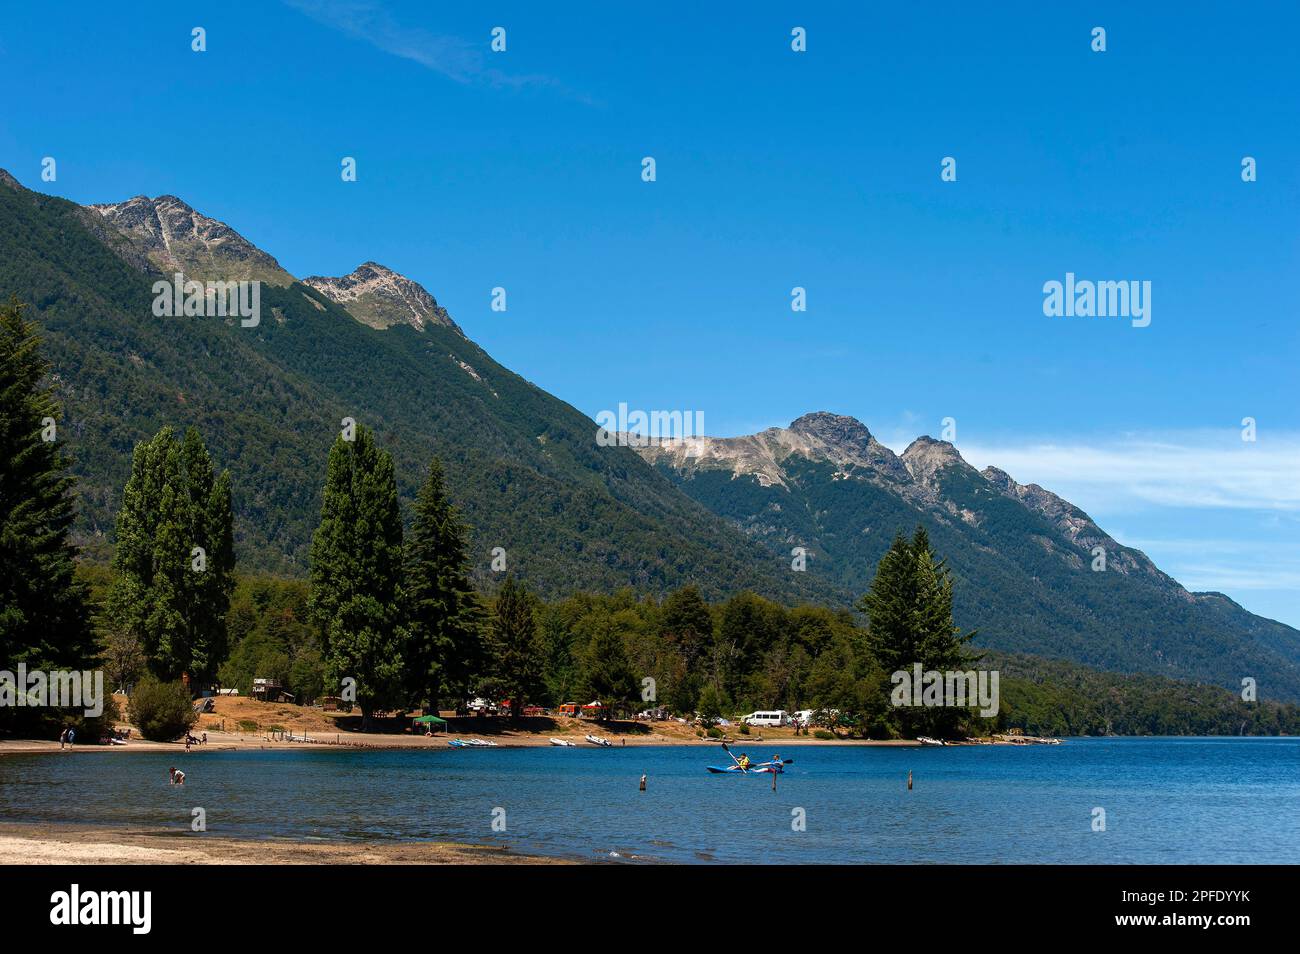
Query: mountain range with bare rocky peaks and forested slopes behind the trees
723, 514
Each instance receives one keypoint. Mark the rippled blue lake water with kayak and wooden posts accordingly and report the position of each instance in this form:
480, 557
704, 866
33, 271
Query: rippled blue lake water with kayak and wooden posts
1228, 801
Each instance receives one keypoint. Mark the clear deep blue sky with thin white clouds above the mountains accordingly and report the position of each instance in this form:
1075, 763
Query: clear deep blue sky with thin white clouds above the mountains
775, 170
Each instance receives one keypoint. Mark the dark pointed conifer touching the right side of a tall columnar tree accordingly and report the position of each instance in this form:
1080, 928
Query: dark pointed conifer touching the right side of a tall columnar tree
444, 614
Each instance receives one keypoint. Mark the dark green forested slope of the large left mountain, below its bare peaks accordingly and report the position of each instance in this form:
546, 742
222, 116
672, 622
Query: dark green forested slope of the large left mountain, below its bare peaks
268, 402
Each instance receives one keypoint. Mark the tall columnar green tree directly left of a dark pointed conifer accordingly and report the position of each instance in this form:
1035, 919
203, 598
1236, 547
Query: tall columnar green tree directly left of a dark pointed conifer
357, 574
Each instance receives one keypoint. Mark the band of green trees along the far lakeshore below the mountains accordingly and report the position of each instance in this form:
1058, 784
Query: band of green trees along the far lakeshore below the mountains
392, 614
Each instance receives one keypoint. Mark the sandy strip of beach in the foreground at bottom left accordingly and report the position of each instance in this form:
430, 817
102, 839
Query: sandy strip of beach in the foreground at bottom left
42, 843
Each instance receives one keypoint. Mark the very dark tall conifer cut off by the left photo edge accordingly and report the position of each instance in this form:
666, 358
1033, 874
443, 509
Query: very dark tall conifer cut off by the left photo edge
45, 621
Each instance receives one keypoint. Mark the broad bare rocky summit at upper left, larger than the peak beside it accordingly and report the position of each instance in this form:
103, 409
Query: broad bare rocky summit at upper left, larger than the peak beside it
177, 238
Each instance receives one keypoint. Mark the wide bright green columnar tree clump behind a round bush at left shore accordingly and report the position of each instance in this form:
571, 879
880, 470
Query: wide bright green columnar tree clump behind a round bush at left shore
175, 558
